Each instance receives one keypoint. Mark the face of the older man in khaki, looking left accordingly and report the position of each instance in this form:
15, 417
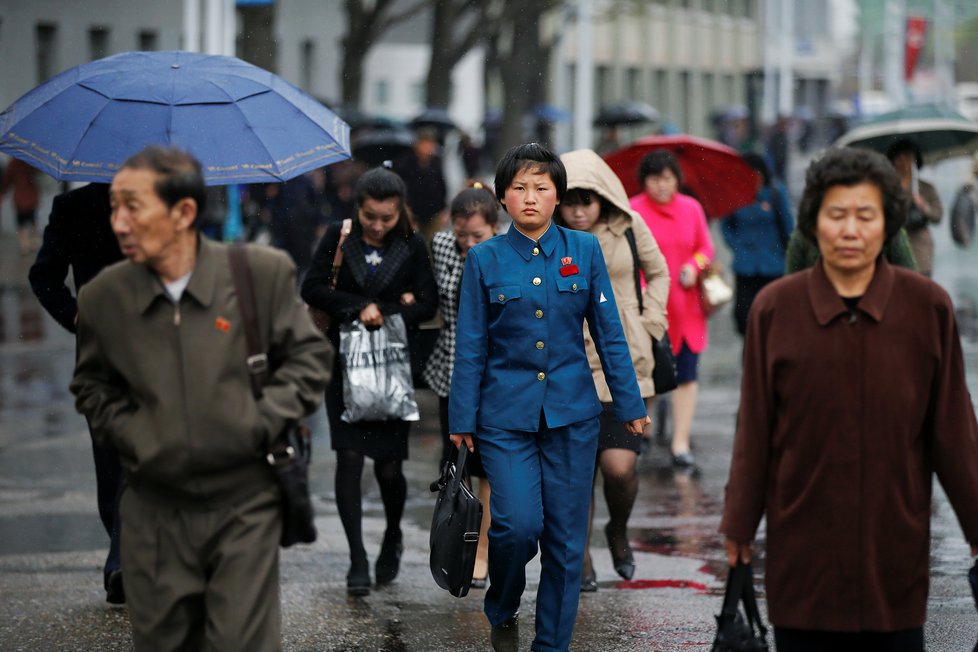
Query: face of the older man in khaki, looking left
146, 229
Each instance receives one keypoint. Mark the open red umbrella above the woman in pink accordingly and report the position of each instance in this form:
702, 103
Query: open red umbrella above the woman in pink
712, 172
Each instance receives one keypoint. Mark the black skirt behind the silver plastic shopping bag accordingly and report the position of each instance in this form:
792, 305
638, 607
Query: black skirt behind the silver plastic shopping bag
382, 441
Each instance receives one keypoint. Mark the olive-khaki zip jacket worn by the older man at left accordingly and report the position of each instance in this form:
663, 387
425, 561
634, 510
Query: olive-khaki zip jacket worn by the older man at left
167, 384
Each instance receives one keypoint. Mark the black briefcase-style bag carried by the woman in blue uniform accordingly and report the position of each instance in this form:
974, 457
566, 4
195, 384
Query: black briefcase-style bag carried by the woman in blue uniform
454, 528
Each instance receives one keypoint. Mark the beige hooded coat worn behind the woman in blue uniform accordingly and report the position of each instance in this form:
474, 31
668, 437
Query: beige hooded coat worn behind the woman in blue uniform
586, 170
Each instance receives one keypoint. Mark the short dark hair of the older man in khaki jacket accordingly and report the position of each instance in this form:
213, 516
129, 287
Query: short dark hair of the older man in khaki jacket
179, 175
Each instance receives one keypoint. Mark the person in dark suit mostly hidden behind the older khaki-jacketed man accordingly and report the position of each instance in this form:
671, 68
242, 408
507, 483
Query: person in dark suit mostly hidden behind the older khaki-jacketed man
79, 239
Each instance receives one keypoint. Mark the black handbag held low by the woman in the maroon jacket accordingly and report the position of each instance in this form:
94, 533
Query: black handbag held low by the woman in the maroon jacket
735, 632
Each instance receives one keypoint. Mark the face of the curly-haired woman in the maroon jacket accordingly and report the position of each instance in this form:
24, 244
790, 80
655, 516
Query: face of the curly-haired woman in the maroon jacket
851, 228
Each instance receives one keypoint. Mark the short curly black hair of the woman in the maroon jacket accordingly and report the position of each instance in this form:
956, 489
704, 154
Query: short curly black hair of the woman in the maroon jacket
850, 166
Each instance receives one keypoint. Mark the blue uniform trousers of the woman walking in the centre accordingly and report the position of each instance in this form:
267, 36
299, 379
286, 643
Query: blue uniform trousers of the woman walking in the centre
541, 493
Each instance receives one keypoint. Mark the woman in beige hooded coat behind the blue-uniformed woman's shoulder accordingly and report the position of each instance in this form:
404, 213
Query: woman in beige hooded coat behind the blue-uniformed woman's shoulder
596, 202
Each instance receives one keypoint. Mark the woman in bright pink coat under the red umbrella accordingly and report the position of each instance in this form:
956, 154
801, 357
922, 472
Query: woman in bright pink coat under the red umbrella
679, 225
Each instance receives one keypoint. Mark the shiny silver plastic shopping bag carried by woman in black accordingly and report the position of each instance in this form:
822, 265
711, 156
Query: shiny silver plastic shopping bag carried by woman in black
377, 382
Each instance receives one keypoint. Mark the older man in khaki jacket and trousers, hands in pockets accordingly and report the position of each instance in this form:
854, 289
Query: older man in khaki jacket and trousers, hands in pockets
162, 376
